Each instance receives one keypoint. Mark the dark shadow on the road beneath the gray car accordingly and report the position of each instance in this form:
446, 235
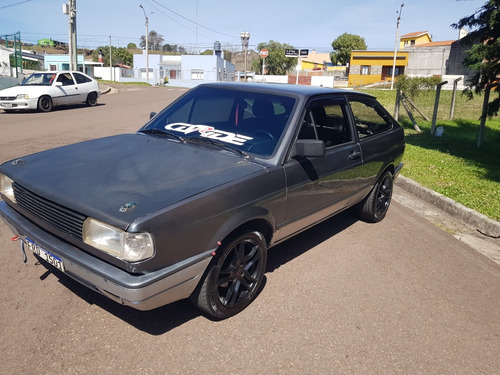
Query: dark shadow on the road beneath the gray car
163, 319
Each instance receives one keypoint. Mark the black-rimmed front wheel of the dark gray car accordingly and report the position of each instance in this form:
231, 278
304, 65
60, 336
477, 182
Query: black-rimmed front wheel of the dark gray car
235, 277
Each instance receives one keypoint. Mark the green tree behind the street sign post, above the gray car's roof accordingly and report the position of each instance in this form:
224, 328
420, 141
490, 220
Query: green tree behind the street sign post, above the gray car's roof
276, 62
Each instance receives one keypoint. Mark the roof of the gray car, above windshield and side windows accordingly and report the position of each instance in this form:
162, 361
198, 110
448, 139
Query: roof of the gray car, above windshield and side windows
277, 88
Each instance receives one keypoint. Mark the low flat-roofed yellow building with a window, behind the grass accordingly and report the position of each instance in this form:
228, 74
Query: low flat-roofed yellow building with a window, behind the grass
367, 67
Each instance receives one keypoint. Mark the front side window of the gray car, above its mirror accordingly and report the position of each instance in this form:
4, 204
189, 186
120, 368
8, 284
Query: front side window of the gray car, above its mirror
326, 120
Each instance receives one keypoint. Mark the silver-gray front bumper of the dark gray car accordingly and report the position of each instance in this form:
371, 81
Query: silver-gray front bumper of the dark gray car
143, 292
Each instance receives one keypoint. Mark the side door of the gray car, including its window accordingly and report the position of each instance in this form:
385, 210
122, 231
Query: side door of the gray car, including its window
318, 187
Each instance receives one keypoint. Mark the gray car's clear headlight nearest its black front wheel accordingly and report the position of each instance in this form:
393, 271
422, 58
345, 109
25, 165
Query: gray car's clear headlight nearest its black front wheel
131, 247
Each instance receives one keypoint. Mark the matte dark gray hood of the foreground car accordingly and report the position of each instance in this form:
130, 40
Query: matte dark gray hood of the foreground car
122, 178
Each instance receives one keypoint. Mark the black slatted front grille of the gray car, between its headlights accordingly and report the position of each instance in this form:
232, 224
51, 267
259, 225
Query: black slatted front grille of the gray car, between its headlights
57, 216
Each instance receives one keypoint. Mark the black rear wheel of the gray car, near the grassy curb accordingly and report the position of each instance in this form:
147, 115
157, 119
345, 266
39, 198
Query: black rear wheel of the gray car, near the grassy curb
374, 207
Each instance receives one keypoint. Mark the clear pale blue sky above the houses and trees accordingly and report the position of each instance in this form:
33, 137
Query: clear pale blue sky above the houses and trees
197, 24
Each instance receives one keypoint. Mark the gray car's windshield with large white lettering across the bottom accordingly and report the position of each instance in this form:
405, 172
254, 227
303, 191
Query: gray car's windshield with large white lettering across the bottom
251, 122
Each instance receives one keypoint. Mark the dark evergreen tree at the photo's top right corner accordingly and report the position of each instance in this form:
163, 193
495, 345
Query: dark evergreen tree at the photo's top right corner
483, 57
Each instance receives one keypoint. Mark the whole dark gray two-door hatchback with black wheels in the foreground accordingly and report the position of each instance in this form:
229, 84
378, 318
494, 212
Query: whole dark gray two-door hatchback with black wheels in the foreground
188, 206
